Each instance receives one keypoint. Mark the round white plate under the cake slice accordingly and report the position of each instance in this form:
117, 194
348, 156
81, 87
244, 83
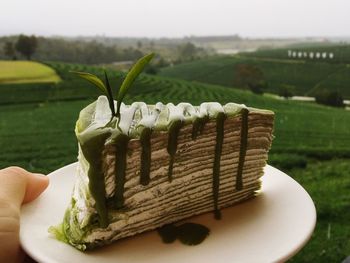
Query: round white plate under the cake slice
271, 227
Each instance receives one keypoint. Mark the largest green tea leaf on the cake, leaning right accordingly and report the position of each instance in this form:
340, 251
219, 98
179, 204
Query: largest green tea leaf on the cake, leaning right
130, 78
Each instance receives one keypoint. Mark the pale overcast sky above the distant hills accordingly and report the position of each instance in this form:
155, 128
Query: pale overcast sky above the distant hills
176, 18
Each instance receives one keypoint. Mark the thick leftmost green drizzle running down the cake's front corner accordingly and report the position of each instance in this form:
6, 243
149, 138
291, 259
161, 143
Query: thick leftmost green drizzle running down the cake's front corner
92, 151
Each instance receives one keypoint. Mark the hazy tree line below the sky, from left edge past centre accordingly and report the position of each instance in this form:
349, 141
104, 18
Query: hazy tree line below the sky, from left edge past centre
89, 52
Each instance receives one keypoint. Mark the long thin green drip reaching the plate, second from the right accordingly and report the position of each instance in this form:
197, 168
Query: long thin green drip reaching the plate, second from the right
220, 120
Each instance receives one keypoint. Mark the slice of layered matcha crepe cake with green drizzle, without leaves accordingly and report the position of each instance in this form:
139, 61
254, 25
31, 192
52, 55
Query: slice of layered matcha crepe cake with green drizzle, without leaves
158, 164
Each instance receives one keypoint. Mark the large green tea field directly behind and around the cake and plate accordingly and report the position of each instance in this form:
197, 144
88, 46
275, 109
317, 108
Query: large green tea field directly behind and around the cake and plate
312, 142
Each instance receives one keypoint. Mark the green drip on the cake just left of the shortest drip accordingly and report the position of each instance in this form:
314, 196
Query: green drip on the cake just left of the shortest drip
174, 130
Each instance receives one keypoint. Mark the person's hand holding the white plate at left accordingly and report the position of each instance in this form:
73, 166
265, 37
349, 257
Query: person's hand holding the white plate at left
17, 187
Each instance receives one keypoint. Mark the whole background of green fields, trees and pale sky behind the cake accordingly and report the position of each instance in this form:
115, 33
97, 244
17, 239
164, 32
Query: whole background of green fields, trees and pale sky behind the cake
300, 70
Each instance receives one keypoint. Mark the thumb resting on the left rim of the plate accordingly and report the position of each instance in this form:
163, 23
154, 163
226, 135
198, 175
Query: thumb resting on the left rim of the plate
20, 186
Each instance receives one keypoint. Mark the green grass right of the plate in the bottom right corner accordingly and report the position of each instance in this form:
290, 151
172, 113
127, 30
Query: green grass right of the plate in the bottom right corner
328, 183
